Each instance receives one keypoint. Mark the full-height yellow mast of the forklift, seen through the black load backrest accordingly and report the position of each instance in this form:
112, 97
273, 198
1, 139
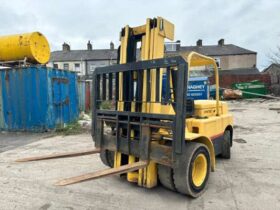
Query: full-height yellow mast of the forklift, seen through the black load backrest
151, 39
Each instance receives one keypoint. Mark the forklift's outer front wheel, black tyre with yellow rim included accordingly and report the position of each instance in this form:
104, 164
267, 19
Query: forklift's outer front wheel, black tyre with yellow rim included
191, 177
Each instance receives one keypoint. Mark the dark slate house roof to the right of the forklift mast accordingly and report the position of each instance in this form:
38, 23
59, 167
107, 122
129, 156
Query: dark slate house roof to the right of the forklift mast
217, 50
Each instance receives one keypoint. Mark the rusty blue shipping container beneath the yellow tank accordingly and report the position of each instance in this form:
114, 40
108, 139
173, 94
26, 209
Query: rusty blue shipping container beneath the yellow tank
37, 98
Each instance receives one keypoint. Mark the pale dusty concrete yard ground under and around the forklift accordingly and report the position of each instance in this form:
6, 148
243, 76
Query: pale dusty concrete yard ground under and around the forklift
249, 180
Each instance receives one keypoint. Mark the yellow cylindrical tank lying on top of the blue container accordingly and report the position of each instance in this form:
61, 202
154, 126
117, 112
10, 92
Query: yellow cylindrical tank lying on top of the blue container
33, 46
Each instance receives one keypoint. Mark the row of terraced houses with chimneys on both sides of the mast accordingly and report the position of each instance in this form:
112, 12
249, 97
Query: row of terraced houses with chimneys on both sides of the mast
227, 56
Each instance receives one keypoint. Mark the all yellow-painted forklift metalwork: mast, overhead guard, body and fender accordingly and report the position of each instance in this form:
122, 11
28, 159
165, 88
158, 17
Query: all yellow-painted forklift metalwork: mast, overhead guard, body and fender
211, 117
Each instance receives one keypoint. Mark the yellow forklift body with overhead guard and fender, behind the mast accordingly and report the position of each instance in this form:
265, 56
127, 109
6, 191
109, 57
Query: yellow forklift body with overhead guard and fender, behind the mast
211, 117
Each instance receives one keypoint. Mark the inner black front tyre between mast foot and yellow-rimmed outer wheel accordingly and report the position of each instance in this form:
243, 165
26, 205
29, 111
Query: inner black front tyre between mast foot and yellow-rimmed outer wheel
165, 175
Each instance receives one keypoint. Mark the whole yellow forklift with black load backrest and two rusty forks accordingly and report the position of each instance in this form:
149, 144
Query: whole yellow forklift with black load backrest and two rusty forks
146, 135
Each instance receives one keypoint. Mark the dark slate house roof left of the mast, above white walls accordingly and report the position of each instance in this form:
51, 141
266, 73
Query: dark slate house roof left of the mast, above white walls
78, 55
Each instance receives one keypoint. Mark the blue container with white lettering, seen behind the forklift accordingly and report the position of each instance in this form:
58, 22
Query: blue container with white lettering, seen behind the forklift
198, 88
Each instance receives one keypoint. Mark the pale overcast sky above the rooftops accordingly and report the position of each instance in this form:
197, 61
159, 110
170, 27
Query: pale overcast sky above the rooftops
252, 24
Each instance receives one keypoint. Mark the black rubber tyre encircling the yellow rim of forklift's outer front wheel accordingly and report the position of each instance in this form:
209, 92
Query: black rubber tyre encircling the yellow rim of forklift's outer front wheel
183, 173
